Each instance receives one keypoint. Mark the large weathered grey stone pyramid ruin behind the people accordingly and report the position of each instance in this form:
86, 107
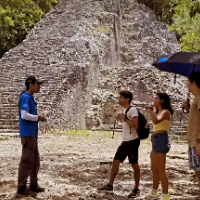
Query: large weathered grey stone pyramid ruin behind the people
86, 51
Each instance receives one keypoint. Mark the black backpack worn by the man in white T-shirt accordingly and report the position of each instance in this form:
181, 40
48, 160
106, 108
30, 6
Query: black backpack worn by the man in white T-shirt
143, 126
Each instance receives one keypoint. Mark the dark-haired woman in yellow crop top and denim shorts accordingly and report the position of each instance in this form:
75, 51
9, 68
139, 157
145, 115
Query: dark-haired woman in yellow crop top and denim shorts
161, 120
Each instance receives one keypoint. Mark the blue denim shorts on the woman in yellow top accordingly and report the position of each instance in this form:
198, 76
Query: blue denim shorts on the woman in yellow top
160, 143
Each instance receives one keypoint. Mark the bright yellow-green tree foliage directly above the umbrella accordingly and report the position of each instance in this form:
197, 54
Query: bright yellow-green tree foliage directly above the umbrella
185, 22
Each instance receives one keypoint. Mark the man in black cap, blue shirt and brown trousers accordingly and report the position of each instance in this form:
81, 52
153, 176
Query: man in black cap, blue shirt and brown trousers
28, 122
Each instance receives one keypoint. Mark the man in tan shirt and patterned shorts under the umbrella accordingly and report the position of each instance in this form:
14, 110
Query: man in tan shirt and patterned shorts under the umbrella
193, 131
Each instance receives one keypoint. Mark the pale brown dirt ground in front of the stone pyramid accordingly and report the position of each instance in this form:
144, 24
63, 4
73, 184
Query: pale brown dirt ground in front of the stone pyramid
74, 165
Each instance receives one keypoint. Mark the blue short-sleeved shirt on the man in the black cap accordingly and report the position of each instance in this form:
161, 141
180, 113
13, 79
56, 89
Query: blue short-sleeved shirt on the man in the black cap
27, 128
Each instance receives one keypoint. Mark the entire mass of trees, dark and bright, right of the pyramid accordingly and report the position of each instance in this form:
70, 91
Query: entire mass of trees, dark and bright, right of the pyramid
183, 18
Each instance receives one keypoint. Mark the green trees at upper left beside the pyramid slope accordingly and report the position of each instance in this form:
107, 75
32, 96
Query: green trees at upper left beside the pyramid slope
17, 18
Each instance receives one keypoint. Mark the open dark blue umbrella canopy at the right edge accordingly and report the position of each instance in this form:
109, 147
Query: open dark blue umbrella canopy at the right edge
183, 63
